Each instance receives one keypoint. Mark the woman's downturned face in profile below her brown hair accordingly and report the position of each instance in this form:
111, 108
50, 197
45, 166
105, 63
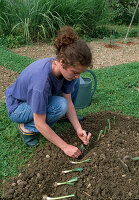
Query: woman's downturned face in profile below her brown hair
72, 72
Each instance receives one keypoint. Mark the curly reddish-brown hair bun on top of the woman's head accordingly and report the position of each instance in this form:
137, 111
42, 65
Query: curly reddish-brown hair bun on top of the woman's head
65, 36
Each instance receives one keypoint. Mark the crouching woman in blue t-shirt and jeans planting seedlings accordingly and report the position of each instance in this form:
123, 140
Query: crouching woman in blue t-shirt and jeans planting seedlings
47, 90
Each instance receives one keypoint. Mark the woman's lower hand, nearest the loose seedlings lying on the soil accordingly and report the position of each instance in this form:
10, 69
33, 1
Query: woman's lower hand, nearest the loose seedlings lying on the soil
72, 151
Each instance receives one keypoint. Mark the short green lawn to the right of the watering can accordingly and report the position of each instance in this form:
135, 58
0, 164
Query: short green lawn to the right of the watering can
116, 90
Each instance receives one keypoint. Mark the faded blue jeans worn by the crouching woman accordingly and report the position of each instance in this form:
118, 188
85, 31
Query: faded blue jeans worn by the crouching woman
57, 108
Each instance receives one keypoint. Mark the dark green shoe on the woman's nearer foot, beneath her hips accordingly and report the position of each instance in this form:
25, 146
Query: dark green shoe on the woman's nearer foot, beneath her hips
28, 138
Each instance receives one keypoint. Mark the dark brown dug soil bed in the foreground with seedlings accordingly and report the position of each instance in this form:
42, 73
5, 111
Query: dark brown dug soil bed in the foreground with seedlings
103, 178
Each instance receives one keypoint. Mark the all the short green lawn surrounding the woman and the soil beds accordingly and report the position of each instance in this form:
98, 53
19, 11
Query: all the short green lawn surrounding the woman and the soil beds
116, 91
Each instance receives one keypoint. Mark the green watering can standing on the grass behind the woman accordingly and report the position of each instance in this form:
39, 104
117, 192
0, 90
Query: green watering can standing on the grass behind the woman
86, 92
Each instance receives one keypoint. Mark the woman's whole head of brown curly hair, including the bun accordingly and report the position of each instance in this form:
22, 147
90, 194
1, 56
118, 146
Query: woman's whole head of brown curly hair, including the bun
71, 49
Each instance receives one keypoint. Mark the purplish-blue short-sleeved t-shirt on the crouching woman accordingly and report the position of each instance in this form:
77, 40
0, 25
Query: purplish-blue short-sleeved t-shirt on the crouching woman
34, 86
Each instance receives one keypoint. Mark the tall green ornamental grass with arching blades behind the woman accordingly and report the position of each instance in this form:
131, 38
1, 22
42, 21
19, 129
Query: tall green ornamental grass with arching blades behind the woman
40, 19
